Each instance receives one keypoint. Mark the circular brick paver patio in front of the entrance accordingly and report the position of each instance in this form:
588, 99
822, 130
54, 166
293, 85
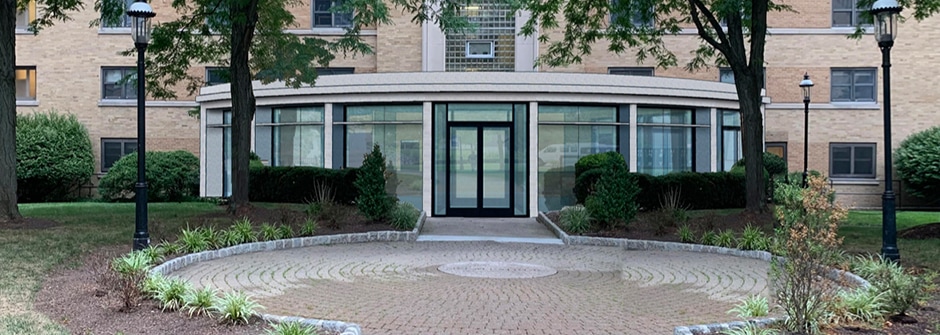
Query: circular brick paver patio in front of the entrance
398, 287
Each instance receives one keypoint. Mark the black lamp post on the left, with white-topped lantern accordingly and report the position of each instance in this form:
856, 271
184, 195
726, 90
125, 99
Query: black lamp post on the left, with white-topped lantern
141, 13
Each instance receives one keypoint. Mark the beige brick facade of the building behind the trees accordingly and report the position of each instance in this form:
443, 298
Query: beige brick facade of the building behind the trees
69, 57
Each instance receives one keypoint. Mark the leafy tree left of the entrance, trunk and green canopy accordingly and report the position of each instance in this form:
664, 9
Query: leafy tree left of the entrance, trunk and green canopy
249, 37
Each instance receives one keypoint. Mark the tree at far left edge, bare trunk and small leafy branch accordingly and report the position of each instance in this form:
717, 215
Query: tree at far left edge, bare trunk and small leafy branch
53, 10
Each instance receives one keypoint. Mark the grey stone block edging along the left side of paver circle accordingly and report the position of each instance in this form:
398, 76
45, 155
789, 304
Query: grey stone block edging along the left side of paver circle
344, 328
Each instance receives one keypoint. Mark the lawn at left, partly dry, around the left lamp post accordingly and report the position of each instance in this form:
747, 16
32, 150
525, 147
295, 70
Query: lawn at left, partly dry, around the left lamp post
28, 255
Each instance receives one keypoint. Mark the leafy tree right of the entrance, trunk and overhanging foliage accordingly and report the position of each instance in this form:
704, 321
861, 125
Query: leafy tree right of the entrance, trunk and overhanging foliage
732, 33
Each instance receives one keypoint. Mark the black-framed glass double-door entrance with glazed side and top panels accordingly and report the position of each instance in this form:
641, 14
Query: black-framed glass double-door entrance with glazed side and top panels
480, 160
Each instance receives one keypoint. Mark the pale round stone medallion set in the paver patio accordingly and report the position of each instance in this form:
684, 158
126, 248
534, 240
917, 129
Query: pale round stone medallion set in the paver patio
497, 270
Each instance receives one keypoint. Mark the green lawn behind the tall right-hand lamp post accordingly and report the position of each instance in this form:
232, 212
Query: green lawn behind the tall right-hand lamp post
862, 233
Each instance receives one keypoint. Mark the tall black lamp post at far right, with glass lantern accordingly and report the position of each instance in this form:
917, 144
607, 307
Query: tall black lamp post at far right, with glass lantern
885, 13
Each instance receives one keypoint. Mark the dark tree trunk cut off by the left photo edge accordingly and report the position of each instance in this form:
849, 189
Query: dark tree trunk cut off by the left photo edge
8, 209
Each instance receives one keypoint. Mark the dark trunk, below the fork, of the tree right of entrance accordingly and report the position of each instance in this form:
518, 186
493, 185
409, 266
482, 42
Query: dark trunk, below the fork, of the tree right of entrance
752, 139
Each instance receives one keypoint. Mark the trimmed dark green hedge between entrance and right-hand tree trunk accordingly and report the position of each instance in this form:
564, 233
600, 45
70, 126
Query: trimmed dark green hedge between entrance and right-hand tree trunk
708, 190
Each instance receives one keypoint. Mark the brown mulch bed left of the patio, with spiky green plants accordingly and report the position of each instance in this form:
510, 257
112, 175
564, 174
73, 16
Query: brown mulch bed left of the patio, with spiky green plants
81, 299
